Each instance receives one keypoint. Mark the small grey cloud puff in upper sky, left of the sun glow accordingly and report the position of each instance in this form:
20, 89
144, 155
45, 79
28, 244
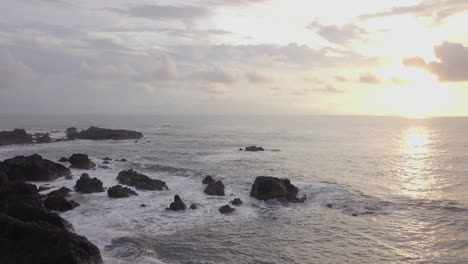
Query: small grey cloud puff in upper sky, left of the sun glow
338, 34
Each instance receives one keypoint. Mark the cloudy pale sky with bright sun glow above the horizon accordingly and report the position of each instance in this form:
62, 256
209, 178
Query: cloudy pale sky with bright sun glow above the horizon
267, 57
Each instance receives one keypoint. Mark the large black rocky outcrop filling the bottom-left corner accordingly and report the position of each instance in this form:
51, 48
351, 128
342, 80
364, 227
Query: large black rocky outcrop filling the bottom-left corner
29, 233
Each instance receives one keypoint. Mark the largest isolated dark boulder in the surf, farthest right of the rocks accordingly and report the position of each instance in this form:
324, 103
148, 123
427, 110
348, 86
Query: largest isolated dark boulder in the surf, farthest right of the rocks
265, 188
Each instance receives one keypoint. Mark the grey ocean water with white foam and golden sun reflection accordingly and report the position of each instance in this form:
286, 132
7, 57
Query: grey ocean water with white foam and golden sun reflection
397, 188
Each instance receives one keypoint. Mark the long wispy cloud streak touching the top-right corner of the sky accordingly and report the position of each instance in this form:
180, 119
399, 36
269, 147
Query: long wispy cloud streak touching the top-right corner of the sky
439, 9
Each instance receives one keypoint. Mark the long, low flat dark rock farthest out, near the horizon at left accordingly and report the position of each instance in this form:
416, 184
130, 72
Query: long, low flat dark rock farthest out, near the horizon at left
96, 133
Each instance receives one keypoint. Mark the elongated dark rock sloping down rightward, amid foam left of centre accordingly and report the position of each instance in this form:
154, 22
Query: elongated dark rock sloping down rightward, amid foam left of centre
140, 181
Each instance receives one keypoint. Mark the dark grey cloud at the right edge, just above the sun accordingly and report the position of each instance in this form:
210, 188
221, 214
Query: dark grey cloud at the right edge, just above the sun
452, 65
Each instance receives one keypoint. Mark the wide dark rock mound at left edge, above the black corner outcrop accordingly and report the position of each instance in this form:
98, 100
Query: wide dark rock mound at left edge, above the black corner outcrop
32, 168
